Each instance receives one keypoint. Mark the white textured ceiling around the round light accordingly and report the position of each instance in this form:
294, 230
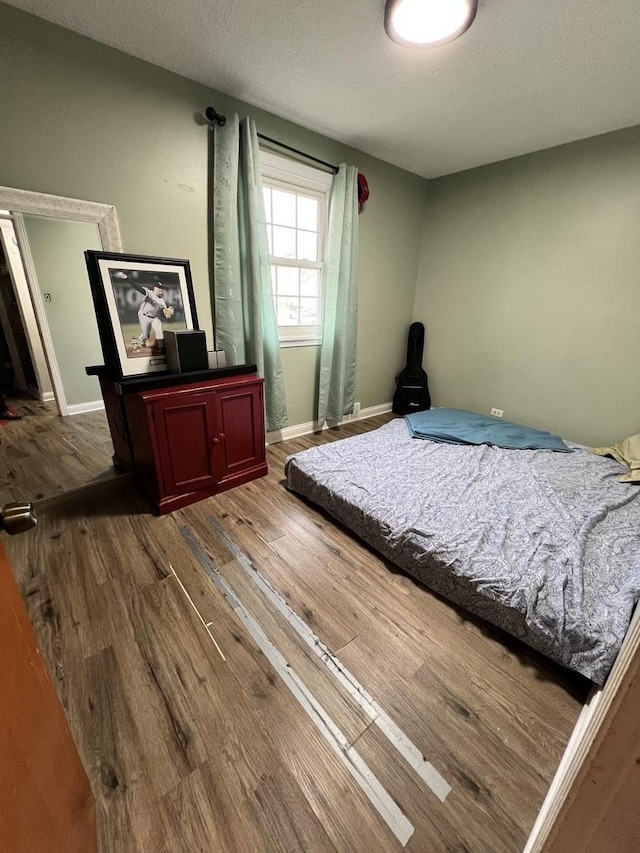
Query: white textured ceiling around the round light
528, 75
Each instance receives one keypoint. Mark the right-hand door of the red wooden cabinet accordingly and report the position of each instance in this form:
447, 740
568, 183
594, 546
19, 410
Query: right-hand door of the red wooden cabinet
239, 443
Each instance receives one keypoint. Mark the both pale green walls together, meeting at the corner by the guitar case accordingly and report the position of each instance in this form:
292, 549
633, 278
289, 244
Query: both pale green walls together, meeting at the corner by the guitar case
526, 270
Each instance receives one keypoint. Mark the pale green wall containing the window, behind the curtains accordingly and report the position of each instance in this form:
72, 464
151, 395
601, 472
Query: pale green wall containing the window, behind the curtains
80, 119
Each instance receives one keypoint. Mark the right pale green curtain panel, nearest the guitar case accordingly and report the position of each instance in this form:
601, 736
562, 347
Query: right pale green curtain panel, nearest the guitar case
336, 391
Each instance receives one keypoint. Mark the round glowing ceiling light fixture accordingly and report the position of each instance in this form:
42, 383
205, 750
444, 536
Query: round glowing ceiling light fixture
428, 23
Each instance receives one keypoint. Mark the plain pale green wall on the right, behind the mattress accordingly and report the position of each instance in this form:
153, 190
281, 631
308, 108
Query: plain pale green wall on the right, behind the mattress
529, 287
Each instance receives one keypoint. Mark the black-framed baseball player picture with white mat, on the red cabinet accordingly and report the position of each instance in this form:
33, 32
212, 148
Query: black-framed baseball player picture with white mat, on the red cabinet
137, 298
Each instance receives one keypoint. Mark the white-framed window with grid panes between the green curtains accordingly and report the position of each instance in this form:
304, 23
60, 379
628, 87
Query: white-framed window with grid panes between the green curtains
296, 209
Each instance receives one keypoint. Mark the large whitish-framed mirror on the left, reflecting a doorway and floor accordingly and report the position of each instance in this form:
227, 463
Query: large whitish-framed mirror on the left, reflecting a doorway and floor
42, 243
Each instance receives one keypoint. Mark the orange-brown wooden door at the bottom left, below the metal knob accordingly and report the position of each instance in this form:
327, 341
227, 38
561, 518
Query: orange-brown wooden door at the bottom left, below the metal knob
45, 799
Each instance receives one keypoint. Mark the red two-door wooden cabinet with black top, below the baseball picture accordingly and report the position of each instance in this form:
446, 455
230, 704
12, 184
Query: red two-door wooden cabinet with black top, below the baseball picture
187, 436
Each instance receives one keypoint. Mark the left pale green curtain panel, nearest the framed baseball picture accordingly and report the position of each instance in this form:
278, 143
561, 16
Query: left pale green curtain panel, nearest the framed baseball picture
245, 322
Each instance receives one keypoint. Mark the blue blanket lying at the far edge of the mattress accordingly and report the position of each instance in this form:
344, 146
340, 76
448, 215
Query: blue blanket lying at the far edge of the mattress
457, 426
